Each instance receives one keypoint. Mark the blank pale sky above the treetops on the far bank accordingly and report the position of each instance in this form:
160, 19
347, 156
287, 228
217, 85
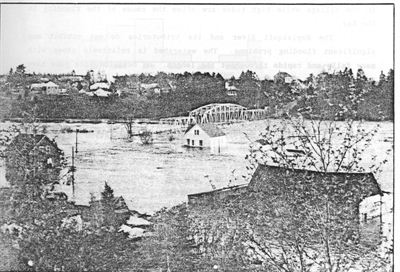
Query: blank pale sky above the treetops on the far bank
126, 39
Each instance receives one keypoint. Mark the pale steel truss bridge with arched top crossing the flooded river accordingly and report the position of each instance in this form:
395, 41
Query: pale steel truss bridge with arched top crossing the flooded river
217, 113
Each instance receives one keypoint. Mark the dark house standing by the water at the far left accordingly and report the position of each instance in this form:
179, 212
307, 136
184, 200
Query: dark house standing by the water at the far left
29, 155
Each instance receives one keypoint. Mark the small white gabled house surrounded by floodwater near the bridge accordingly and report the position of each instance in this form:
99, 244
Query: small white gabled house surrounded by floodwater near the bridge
205, 135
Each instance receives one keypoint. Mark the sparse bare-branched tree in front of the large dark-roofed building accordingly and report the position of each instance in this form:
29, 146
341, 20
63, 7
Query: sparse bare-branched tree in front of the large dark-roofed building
325, 147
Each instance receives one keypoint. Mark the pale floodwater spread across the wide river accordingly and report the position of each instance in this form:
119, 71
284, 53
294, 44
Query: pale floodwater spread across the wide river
163, 173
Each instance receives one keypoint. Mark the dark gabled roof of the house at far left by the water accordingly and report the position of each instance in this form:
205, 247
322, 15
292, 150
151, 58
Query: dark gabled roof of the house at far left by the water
28, 141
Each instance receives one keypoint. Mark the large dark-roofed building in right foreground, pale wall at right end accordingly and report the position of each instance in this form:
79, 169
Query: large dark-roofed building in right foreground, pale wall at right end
354, 197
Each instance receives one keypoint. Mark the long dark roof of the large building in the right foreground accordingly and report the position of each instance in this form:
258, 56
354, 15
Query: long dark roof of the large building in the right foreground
364, 184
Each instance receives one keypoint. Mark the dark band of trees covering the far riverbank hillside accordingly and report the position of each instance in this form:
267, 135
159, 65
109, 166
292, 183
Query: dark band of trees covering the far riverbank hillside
320, 96
